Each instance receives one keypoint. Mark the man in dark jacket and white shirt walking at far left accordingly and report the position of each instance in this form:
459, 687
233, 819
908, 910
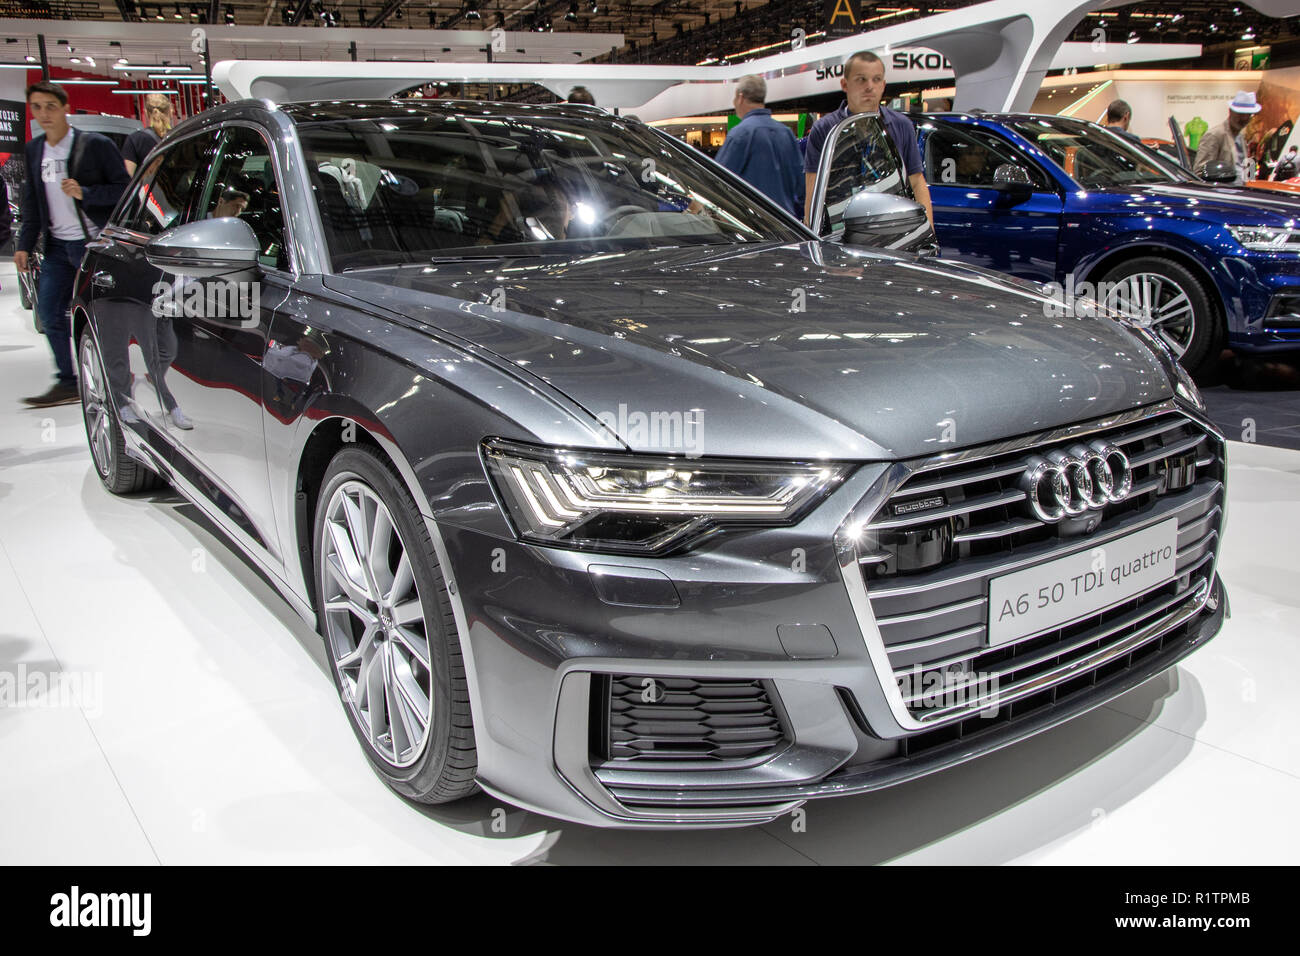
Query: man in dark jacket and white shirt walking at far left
75, 180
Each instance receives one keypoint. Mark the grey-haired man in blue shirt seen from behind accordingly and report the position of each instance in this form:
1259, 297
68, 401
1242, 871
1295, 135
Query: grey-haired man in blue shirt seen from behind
762, 152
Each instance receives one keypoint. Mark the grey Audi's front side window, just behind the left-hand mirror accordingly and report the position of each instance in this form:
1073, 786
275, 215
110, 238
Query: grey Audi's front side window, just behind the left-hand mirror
245, 188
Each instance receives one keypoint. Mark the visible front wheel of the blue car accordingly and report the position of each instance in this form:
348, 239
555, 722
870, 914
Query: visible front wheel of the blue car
1182, 312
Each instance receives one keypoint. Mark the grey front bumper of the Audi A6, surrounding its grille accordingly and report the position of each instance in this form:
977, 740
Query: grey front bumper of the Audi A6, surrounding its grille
541, 634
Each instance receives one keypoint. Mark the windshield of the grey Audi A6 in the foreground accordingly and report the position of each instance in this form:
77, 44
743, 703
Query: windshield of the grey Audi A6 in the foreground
411, 189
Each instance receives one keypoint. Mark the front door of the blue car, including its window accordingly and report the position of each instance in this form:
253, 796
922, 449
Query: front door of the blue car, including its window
994, 207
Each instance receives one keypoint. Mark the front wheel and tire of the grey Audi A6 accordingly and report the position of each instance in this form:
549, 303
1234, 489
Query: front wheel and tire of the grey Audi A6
389, 630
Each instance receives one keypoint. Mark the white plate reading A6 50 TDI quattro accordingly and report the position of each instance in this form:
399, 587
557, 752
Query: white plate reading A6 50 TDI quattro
1081, 585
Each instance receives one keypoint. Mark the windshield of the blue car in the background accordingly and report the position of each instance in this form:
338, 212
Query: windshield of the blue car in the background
1094, 157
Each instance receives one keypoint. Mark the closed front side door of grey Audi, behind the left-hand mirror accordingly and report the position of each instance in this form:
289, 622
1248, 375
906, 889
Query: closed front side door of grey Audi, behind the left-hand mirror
222, 328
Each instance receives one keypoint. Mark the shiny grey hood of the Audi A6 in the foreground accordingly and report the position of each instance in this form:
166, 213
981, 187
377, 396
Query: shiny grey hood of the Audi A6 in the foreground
808, 351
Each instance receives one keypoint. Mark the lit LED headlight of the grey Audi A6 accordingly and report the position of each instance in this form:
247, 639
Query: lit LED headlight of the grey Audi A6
643, 505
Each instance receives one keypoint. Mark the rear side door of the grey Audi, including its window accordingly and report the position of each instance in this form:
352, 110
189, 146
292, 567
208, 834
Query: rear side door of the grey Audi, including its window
137, 358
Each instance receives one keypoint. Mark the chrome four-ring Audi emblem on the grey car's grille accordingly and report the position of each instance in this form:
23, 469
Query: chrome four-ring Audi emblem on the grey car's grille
1067, 483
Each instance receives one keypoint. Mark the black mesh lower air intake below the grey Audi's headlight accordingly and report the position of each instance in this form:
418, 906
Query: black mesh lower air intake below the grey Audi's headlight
645, 721
